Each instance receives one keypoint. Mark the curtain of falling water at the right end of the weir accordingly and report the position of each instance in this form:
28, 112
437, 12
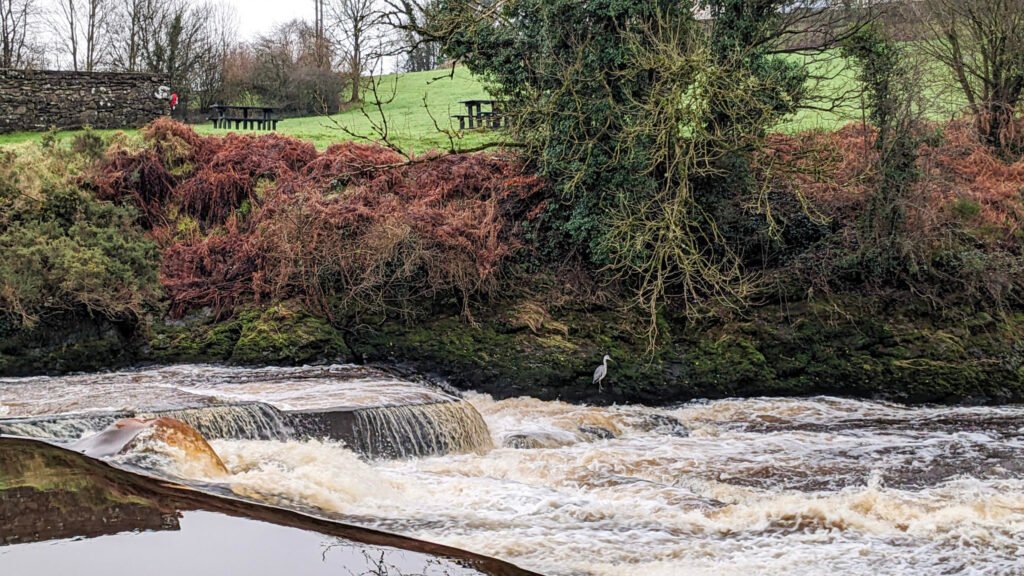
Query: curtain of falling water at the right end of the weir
402, 432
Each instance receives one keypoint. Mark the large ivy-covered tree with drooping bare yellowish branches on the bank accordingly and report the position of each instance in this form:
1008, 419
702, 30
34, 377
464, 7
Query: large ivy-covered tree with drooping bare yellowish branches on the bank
645, 115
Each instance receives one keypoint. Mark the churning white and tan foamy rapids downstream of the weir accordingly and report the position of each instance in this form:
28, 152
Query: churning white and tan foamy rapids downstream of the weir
905, 499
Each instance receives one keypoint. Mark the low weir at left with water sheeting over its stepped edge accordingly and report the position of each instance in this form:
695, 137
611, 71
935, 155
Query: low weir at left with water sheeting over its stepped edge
376, 419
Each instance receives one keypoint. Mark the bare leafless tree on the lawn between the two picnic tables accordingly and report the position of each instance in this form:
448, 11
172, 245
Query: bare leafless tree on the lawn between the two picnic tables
357, 30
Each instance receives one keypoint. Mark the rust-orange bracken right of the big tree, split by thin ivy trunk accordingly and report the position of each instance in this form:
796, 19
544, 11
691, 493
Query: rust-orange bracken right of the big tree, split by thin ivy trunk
965, 214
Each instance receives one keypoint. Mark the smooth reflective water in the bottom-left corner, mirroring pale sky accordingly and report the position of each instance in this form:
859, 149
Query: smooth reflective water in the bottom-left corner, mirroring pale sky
63, 513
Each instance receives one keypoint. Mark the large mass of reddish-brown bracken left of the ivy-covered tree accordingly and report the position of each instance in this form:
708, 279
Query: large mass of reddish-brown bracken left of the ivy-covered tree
358, 229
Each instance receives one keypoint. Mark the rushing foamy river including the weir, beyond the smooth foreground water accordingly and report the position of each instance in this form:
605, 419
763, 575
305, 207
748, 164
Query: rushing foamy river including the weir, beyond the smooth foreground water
759, 486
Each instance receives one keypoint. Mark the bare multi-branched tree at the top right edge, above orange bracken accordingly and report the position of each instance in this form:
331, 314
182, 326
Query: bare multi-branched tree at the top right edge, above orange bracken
982, 43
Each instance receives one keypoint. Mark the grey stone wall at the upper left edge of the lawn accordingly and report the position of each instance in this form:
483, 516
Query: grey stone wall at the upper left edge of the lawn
39, 100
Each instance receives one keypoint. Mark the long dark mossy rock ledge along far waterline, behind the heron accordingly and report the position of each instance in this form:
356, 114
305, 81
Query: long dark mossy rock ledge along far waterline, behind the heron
848, 349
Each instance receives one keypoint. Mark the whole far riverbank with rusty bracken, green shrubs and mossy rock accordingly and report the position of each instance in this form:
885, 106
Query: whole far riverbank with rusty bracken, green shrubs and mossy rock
263, 251
